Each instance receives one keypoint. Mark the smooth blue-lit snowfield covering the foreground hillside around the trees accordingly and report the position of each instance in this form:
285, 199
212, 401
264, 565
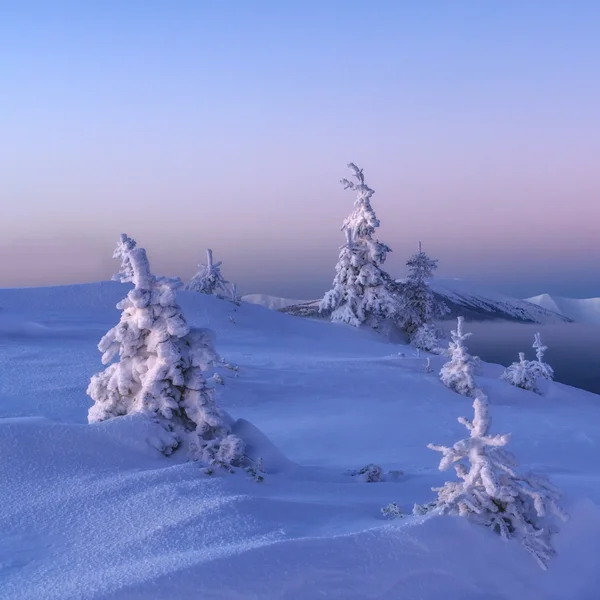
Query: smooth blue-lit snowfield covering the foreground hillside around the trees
91, 512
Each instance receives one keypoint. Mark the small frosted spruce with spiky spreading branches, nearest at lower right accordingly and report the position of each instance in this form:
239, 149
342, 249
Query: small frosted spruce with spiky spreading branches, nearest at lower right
491, 493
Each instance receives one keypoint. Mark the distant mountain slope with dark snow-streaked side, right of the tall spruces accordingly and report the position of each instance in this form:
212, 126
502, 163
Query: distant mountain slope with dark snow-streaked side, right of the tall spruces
477, 303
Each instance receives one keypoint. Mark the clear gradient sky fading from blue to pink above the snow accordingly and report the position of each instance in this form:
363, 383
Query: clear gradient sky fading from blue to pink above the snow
228, 124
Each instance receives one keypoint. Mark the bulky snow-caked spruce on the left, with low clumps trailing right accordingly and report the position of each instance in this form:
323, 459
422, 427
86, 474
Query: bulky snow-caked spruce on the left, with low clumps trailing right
159, 372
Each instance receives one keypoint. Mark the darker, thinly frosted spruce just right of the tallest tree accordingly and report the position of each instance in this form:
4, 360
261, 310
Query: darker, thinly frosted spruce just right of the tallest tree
419, 307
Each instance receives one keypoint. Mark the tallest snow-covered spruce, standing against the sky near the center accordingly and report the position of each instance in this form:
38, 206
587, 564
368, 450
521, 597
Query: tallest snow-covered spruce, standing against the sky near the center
362, 291
